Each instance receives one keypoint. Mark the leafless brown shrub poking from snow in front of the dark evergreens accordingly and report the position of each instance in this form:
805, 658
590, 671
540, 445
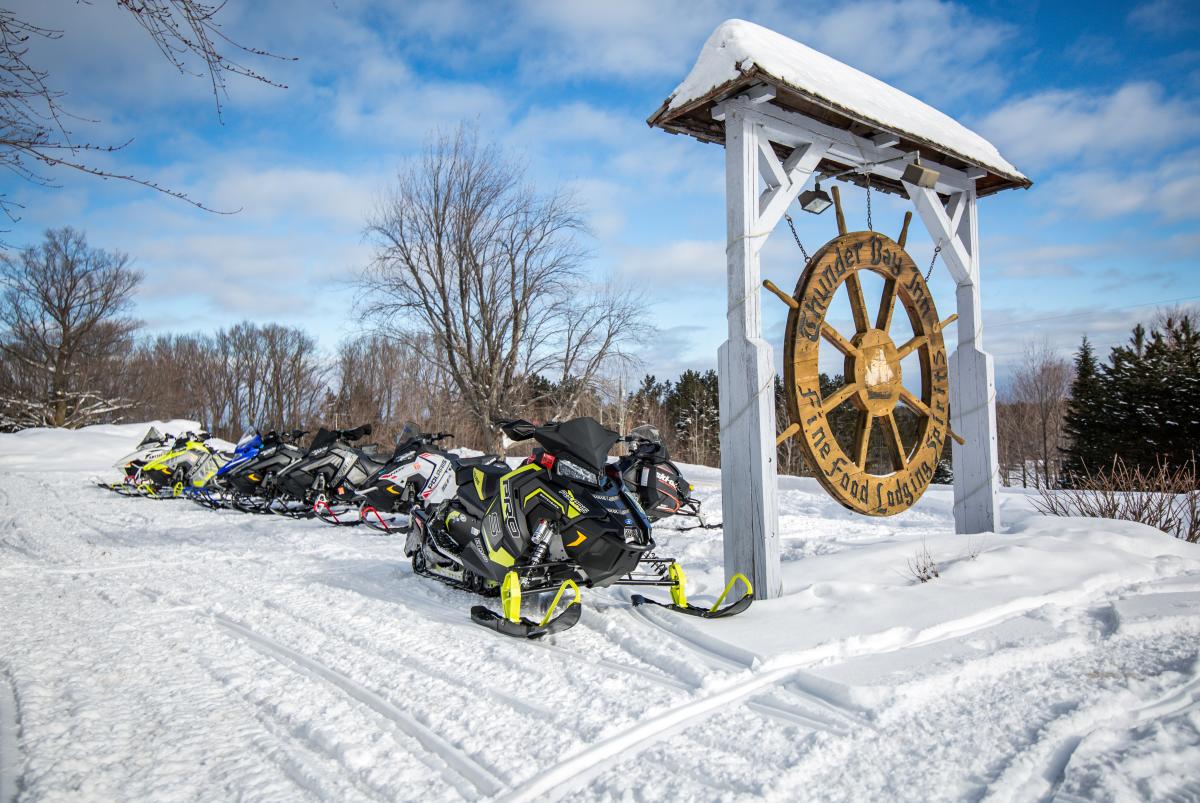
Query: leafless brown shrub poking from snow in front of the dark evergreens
1163, 498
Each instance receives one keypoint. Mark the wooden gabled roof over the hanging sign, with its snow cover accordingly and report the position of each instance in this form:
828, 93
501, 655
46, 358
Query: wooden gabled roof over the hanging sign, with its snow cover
740, 55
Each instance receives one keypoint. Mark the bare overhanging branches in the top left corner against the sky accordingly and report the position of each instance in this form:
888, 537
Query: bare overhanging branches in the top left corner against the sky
35, 129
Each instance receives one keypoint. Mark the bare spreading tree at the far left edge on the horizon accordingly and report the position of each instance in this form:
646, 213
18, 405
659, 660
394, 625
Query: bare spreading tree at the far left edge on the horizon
62, 310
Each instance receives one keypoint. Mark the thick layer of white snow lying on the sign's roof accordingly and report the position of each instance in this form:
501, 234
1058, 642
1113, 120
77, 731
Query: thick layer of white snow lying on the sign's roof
737, 46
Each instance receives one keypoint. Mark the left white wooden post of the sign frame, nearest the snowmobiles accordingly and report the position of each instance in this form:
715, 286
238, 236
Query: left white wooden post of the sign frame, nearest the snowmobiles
747, 377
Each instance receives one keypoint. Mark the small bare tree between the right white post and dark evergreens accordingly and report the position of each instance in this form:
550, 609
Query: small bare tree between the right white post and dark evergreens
1043, 385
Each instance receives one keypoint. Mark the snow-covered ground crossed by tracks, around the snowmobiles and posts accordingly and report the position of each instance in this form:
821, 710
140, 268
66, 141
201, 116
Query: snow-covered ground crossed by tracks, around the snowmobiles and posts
158, 650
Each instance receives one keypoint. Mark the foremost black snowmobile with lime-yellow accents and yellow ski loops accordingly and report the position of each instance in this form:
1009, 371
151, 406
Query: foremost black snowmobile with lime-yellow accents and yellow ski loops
562, 520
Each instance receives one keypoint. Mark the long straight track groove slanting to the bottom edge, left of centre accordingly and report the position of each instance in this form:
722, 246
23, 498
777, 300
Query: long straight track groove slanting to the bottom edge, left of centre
471, 778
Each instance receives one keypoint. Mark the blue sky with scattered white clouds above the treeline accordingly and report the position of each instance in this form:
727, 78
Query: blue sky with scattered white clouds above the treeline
1097, 103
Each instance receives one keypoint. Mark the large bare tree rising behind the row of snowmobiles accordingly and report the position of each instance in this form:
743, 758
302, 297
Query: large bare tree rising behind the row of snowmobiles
489, 274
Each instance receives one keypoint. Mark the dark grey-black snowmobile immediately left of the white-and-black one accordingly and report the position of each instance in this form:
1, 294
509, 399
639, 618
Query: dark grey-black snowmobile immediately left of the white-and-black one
325, 481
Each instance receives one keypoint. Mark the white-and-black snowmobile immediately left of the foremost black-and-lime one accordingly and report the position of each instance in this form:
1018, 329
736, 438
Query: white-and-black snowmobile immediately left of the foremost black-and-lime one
418, 474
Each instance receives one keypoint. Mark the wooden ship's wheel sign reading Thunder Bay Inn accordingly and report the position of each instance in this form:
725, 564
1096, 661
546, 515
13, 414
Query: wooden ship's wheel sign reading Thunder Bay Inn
874, 380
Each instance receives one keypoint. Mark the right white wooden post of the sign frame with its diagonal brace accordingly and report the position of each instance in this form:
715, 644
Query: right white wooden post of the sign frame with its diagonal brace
973, 373
